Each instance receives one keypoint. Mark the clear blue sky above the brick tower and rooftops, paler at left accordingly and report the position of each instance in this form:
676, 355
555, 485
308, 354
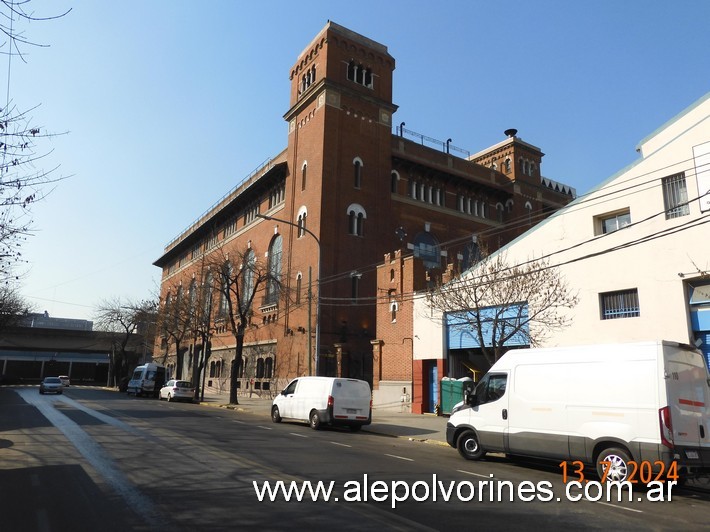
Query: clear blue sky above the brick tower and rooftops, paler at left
169, 103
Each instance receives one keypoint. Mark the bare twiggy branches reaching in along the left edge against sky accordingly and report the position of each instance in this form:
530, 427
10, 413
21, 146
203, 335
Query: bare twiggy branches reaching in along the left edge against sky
21, 183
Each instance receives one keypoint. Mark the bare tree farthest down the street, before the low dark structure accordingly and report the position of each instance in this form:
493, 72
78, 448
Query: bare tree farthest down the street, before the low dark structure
126, 319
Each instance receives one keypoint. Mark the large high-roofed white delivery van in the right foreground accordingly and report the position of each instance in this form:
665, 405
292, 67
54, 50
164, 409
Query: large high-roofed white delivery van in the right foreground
640, 402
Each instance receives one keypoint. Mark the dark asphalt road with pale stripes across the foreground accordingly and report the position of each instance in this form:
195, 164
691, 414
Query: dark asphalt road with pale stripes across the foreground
94, 459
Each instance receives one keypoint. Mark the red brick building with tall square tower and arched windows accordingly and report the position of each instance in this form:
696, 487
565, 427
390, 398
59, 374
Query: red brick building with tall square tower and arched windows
349, 187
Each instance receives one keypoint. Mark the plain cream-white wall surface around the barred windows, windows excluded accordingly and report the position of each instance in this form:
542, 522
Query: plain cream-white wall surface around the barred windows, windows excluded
653, 267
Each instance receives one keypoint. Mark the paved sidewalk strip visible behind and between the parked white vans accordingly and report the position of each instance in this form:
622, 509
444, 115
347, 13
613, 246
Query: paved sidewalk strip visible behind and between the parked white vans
419, 427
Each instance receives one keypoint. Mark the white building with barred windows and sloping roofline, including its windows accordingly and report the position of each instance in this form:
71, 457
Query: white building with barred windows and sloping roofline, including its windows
637, 248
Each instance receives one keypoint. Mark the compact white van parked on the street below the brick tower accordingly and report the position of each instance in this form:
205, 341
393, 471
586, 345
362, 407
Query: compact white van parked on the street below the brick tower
325, 400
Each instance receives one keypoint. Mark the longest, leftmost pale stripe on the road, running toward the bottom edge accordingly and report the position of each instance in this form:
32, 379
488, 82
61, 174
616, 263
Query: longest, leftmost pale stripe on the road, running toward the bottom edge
96, 456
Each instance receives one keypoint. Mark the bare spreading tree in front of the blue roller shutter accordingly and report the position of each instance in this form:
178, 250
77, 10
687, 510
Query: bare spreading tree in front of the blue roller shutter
499, 303
